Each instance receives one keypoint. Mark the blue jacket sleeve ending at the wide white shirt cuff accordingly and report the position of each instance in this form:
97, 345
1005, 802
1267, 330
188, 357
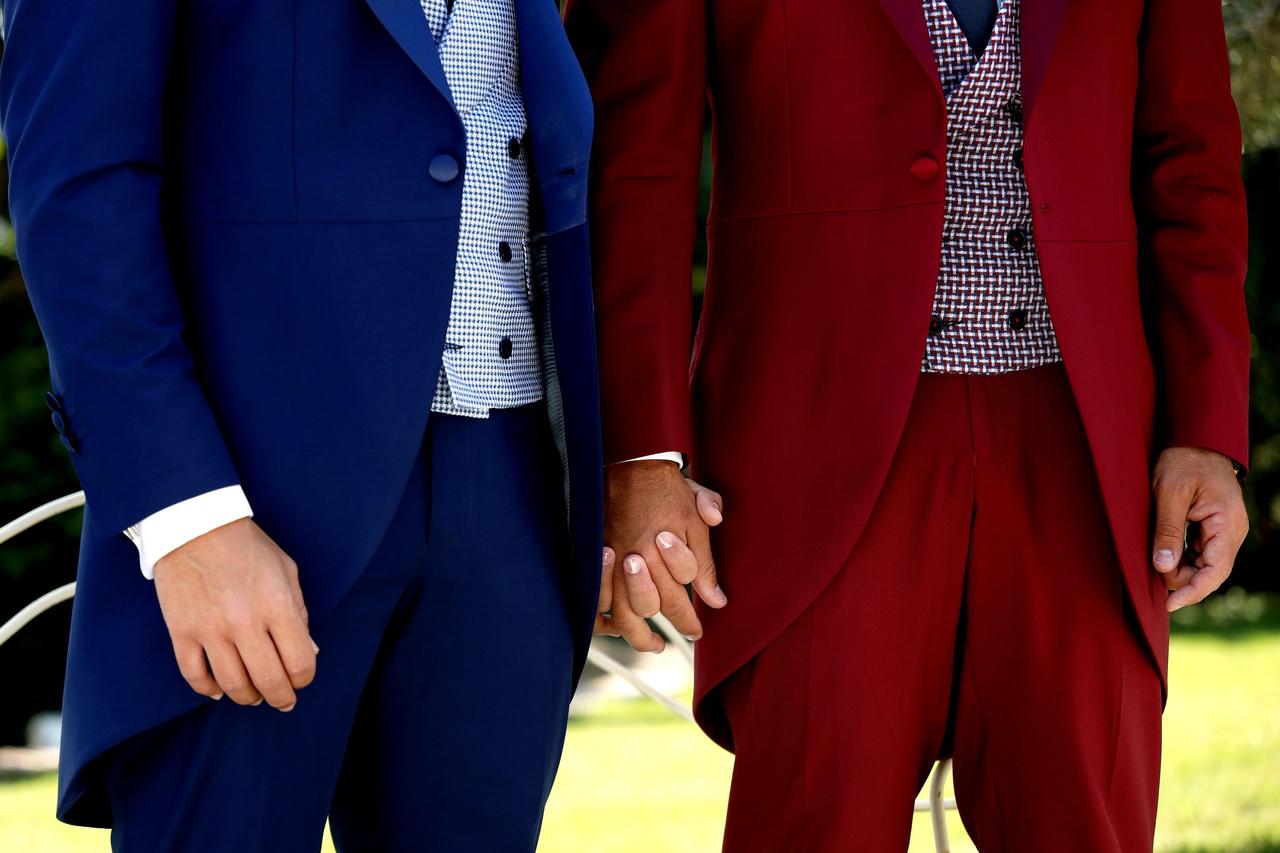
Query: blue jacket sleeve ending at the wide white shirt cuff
83, 101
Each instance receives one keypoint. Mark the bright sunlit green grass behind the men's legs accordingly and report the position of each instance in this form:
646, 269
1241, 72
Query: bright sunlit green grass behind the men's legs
636, 779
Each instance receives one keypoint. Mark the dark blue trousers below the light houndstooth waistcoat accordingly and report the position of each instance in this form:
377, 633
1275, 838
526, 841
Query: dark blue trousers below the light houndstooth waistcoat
438, 713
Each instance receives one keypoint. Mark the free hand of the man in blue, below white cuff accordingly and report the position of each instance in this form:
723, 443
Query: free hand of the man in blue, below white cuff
232, 603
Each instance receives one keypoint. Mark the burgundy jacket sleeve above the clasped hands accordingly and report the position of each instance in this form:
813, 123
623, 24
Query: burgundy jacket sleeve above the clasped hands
647, 65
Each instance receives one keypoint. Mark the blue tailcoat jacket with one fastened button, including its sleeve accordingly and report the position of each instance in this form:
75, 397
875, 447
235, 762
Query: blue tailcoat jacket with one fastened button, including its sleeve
243, 264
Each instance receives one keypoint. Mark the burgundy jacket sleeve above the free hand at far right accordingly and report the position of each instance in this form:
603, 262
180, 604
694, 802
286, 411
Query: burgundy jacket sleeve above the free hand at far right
1194, 222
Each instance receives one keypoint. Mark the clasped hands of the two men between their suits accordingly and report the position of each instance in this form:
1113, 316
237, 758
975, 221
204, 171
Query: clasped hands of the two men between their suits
660, 522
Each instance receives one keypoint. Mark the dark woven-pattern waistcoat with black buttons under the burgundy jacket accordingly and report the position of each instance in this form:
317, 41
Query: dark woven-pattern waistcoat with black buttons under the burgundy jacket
990, 314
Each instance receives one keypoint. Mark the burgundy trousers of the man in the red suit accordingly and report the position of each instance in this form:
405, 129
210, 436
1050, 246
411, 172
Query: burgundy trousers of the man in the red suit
982, 615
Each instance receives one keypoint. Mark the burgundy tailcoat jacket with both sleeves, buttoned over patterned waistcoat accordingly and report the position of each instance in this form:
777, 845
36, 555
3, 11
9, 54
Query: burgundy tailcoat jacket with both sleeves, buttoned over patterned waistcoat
825, 232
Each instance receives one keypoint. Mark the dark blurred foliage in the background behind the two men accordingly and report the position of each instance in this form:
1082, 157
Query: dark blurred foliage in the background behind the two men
34, 467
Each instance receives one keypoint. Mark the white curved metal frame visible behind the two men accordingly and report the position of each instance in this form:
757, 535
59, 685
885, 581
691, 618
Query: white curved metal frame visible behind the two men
936, 805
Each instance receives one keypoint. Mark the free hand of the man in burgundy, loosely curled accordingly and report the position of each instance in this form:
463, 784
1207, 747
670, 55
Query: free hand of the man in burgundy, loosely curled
1200, 487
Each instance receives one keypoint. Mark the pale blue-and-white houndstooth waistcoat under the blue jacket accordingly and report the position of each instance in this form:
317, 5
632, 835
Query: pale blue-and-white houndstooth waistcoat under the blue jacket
491, 354
